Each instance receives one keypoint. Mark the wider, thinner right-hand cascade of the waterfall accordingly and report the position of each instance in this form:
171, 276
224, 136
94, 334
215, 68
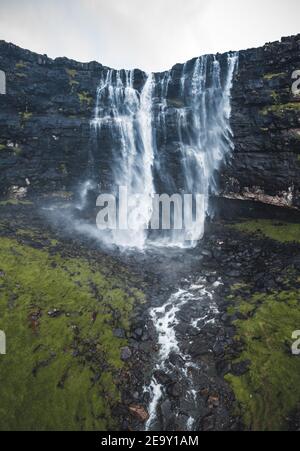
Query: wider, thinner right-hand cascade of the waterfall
202, 132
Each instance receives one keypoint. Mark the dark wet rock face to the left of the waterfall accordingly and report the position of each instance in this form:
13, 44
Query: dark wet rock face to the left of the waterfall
45, 139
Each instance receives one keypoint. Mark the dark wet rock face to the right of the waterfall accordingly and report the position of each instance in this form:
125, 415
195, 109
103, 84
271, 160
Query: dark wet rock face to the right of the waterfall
266, 125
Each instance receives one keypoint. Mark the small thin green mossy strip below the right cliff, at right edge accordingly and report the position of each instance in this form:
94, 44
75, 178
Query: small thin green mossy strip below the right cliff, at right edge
279, 231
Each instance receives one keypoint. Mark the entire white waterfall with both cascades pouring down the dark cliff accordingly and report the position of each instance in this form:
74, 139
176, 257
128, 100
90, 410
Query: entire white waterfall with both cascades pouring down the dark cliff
168, 136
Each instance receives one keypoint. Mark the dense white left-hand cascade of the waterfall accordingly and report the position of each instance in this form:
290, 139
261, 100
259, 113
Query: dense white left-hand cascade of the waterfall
127, 114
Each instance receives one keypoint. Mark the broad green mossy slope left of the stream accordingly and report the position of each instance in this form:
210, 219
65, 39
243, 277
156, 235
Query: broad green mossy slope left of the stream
60, 372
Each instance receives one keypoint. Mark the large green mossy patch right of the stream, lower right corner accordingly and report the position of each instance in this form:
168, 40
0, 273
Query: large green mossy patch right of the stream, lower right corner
270, 390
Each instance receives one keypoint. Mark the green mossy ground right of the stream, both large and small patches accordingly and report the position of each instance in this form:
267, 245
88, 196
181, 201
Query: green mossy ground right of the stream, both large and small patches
269, 392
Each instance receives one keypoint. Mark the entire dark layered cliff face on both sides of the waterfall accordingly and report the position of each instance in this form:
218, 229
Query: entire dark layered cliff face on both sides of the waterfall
46, 144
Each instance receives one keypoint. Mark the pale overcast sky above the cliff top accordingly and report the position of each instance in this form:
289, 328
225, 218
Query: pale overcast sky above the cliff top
150, 34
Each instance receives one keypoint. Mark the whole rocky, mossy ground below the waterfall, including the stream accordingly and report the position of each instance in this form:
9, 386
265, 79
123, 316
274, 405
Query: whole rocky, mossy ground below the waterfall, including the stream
171, 340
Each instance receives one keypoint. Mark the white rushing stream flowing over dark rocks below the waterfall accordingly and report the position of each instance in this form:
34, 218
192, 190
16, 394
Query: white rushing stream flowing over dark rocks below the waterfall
173, 362
